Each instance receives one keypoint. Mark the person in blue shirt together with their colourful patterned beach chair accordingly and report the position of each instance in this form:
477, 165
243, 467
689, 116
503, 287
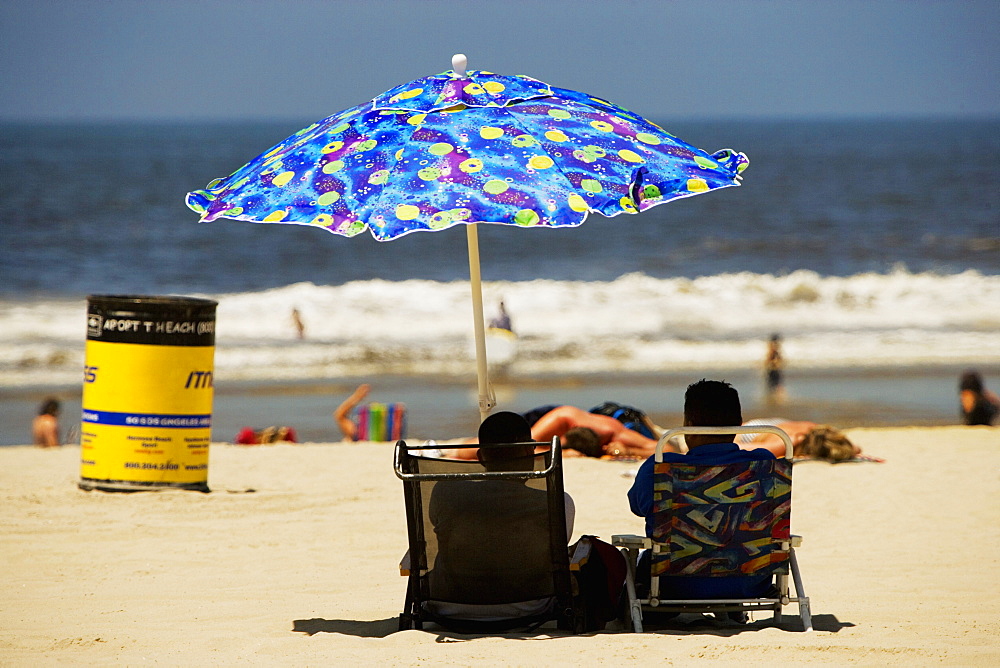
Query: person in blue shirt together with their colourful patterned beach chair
717, 520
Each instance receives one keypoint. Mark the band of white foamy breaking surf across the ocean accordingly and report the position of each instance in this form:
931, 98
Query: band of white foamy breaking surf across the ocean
635, 323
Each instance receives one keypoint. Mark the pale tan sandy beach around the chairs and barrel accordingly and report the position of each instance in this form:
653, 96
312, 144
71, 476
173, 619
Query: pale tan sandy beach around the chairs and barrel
292, 560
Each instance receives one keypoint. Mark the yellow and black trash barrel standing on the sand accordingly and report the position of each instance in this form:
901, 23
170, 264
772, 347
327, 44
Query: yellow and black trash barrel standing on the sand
147, 393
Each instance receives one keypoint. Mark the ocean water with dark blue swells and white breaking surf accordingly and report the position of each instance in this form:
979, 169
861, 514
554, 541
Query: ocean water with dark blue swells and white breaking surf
869, 245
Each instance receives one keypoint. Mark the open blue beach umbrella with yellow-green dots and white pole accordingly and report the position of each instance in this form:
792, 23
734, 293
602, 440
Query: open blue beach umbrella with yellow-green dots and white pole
462, 148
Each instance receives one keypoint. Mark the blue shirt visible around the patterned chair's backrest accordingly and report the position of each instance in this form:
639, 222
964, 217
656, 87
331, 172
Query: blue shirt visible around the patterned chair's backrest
640, 498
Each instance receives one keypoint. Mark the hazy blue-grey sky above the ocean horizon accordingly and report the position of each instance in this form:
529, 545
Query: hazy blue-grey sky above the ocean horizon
306, 59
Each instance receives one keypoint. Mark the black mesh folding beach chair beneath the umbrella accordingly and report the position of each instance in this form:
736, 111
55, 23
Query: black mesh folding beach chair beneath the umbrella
487, 548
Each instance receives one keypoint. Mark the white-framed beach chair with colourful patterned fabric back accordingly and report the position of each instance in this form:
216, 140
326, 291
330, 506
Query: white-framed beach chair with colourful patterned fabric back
718, 522
